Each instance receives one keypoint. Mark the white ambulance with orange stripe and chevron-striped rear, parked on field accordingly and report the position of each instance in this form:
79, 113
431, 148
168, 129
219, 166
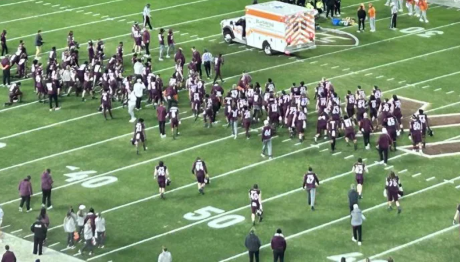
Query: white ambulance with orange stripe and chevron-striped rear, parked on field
273, 27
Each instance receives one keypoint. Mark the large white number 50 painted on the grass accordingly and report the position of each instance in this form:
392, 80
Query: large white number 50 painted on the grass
217, 223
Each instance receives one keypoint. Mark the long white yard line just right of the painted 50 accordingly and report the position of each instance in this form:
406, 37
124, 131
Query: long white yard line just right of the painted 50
347, 217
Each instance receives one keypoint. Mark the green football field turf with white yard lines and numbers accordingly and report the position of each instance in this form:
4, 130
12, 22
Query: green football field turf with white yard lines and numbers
93, 162
